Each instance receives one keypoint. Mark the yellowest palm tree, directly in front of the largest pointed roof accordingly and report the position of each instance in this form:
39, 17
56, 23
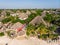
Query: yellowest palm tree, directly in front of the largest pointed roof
42, 31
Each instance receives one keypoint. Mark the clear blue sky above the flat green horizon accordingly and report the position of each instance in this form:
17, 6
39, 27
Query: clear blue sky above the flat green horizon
24, 4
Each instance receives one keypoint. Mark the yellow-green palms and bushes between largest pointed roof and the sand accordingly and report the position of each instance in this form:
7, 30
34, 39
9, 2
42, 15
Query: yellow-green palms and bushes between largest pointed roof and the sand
41, 31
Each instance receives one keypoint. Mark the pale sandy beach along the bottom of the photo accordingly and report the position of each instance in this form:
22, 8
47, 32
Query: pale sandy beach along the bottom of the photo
30, 41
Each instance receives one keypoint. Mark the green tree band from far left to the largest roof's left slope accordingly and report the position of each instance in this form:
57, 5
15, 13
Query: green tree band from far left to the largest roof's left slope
15, 19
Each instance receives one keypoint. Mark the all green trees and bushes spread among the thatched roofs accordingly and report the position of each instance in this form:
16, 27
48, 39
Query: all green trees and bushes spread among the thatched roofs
41, 31
